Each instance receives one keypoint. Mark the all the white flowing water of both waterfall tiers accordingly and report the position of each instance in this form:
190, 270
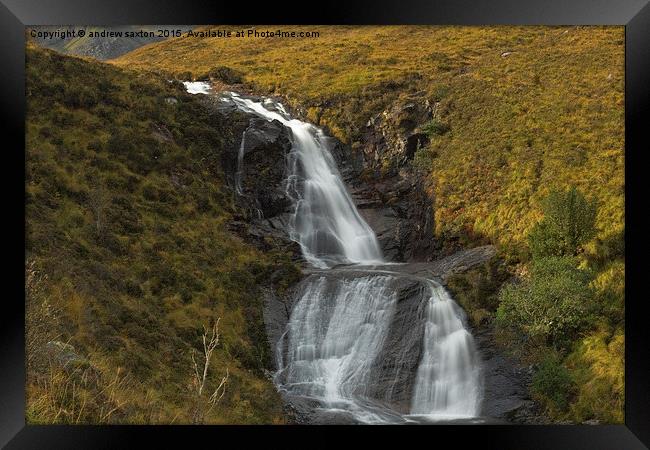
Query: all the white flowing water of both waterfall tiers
341, 321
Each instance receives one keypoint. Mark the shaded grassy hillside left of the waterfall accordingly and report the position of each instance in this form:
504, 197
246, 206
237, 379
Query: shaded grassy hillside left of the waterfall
128, 253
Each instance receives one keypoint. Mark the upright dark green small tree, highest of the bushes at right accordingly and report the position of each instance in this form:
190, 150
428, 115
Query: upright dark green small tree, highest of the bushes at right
569, 222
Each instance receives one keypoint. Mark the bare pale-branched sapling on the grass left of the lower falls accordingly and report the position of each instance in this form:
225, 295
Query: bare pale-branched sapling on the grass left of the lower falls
202, 403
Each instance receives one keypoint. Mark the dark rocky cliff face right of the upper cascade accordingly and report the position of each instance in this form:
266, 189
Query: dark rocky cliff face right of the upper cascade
394, 198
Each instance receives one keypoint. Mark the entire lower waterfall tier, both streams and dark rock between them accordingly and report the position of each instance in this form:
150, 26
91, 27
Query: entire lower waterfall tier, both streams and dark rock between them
383, 347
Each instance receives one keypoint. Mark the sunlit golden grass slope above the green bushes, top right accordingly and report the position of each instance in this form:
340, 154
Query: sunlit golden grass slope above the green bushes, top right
528, 108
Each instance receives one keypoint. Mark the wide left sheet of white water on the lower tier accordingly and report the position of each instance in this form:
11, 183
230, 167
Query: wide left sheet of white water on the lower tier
336, 330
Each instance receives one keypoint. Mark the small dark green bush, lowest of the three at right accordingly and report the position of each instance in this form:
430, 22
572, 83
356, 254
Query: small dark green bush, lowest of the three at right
553, 384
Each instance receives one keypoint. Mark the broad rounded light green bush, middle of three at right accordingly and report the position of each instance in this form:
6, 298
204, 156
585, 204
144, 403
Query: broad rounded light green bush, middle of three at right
554, 303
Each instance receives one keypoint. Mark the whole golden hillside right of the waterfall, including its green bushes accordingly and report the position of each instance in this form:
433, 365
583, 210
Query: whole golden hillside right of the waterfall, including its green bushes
527, 121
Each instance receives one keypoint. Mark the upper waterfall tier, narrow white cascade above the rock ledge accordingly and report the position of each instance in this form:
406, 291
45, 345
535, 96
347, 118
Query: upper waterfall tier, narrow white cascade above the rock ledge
325, 221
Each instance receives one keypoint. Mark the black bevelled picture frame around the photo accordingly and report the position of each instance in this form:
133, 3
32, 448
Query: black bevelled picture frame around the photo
633, 14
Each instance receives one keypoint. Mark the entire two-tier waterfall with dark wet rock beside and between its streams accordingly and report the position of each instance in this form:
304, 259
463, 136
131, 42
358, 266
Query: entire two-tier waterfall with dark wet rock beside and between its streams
359, 339
